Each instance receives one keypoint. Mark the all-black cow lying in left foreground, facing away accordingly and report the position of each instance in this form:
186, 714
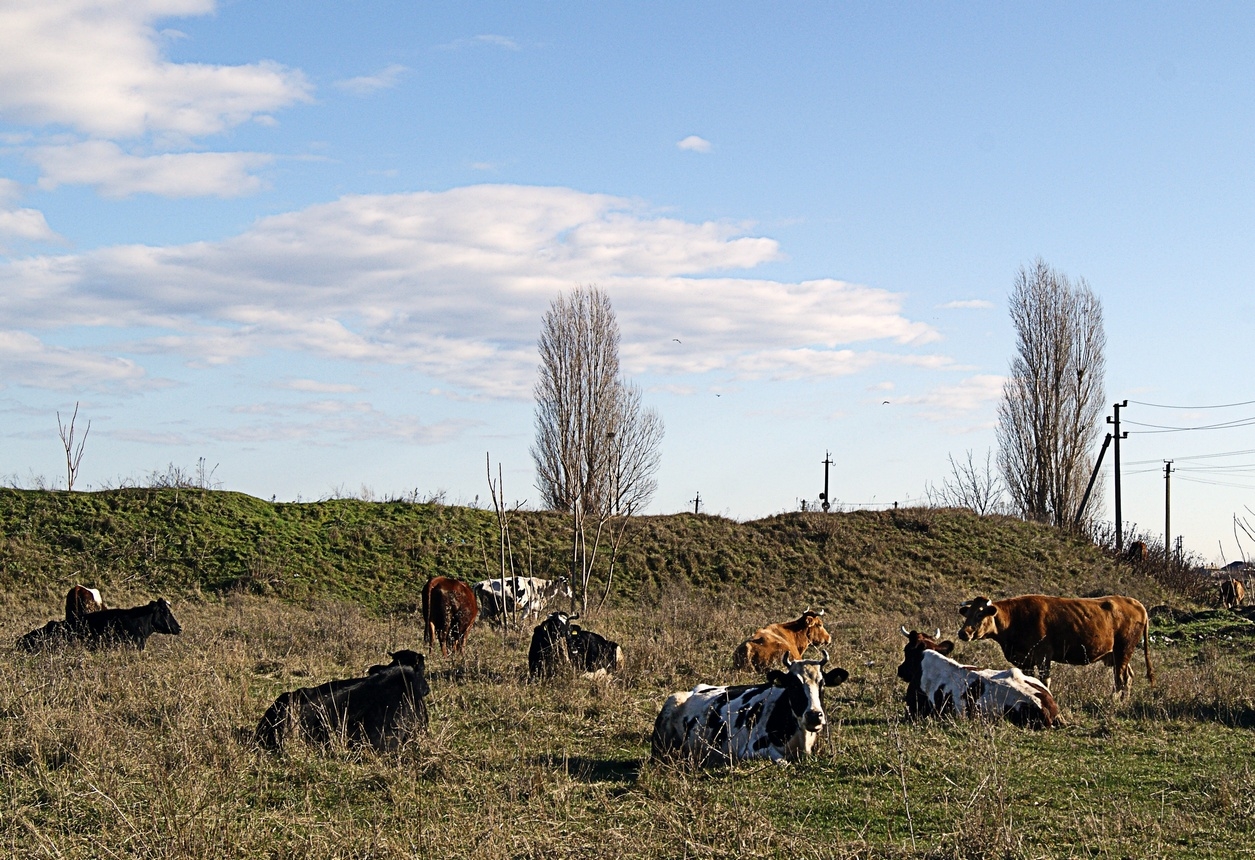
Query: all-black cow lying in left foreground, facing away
381, 710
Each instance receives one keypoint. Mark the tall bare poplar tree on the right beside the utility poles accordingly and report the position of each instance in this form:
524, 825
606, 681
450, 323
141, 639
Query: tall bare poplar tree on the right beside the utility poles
1050, 416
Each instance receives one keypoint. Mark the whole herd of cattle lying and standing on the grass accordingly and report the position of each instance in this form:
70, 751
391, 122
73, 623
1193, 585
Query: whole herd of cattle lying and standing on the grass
779, 719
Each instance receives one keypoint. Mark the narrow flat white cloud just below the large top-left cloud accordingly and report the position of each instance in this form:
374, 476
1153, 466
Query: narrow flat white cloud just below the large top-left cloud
115, 174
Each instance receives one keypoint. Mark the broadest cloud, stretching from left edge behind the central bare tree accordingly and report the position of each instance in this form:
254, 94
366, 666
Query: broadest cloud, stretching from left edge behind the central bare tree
454, 284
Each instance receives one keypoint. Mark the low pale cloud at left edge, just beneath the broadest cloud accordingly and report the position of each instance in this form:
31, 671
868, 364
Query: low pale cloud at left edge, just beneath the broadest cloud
27, 361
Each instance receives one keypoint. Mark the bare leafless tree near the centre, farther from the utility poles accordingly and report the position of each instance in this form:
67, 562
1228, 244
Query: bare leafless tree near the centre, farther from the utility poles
597, 449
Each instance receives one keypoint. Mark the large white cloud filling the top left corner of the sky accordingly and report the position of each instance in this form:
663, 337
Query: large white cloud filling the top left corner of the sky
96, 67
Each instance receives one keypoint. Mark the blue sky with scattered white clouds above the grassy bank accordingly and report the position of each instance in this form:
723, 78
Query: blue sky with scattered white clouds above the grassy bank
313, 242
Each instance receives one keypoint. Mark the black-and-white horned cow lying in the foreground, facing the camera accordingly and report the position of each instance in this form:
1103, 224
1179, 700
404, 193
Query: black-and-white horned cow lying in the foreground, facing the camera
780, 720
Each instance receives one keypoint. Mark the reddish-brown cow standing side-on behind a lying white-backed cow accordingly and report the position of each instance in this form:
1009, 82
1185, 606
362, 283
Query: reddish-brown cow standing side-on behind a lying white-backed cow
1035, 631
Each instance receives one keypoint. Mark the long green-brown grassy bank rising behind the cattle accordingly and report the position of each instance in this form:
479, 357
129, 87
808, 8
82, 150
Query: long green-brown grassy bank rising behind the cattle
378, 553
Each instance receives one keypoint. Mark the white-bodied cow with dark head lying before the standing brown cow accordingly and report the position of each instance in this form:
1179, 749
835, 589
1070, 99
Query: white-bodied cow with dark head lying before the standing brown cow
938, 686
